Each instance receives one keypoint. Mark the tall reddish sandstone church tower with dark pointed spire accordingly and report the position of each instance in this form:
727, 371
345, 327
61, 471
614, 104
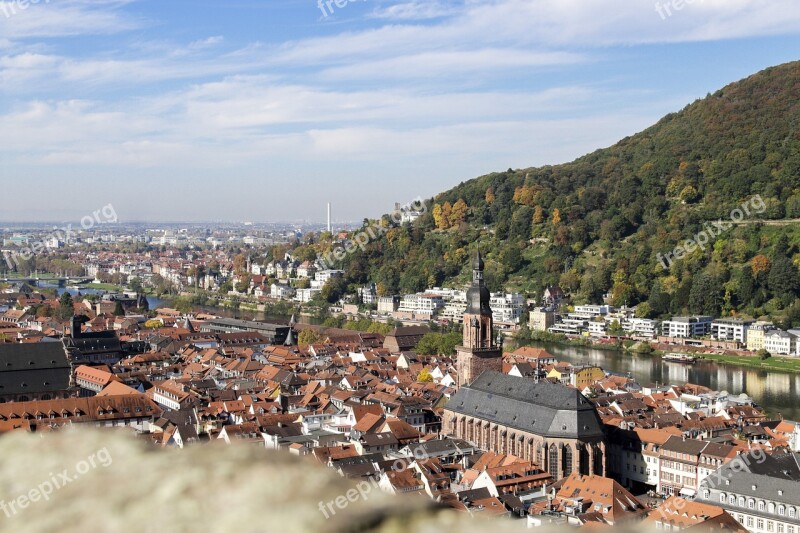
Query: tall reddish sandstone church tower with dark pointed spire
479, 352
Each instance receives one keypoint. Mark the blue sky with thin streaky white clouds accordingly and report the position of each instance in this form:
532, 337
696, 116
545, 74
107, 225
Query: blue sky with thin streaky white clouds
264, 110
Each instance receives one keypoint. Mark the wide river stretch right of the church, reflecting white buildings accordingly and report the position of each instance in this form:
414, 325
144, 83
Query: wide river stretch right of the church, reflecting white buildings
777, 392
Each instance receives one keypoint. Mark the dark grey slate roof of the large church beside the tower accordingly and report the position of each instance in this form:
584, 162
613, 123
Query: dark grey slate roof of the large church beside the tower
542, 408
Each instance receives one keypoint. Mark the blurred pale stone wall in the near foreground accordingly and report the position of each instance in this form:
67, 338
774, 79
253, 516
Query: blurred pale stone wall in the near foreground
87, 480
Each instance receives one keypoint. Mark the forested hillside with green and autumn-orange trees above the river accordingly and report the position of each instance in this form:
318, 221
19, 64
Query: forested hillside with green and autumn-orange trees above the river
596, 225
